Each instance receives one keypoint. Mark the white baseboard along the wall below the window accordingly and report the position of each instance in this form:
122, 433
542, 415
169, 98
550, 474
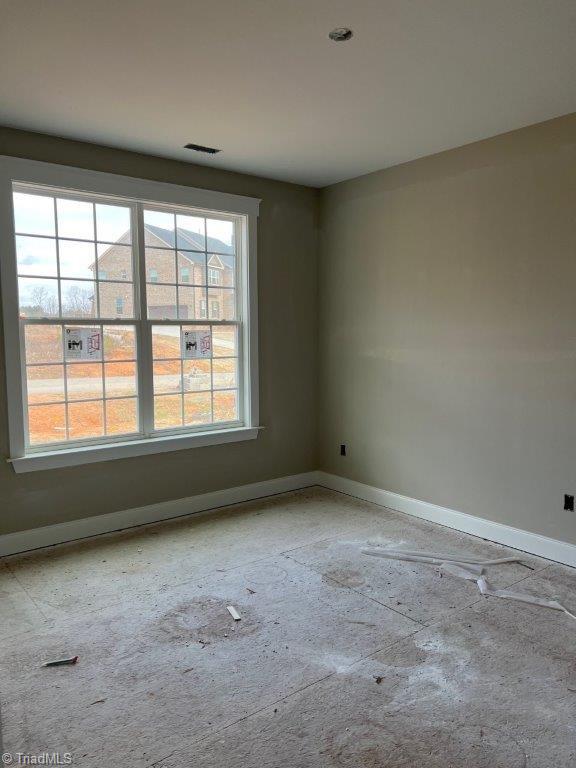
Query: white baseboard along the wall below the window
36, 538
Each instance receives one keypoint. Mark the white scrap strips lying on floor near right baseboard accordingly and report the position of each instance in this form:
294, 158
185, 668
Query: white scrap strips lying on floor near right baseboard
471, 569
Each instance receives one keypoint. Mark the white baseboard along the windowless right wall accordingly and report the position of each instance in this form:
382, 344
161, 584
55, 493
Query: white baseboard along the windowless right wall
534, 543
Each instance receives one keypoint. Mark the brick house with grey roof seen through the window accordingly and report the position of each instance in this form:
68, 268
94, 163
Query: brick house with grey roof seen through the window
205, 278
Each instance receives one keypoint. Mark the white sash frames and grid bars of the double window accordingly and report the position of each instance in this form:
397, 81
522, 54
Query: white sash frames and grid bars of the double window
137, 246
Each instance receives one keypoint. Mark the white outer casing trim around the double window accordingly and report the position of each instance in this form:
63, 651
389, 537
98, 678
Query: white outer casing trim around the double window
76, 180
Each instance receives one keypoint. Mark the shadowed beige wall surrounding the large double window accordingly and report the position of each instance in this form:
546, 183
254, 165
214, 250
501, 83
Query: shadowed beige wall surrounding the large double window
287, 296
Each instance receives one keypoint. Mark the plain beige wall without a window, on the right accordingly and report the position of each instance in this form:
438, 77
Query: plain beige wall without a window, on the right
448, 328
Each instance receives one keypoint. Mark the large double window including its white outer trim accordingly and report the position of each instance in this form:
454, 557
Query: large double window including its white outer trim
117, 355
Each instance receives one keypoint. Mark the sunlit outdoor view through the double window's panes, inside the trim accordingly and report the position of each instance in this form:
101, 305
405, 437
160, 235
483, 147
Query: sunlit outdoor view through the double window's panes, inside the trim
113, 297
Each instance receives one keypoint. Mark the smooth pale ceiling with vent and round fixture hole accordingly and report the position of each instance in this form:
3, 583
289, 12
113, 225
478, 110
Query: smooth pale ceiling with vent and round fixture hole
261, 80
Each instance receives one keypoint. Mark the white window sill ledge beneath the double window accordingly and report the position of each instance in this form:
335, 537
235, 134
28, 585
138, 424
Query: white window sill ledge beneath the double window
73, 457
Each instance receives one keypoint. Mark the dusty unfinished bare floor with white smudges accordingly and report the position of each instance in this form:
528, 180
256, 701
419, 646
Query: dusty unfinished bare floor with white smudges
339, 660
